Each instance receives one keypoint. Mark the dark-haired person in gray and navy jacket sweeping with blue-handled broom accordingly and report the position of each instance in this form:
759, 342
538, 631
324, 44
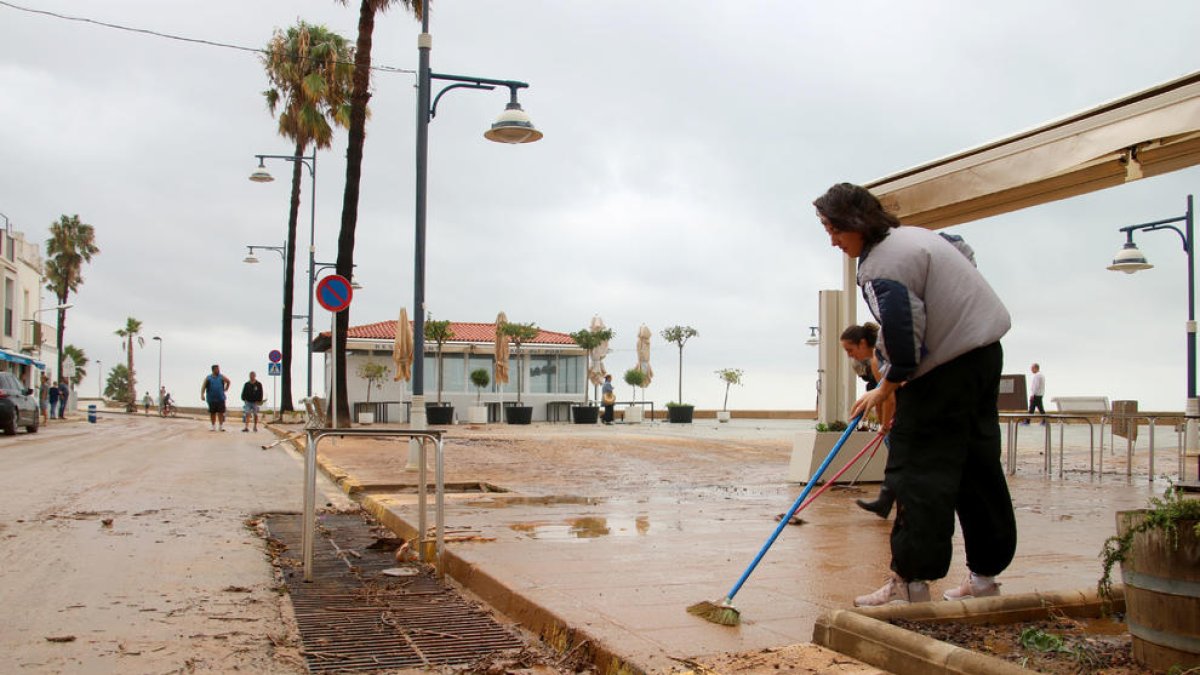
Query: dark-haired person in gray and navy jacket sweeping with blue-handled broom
941, 325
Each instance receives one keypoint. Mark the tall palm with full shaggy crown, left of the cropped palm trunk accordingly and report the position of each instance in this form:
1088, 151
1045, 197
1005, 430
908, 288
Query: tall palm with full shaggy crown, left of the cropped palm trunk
310, 74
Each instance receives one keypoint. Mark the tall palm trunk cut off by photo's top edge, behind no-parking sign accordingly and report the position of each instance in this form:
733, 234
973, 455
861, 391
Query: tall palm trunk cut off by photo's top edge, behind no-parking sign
359, 100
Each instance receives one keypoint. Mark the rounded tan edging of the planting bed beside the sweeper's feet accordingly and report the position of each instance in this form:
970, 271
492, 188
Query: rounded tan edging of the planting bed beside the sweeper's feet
868, 636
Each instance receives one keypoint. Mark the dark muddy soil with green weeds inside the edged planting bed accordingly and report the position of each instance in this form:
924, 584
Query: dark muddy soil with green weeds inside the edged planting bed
1057, 646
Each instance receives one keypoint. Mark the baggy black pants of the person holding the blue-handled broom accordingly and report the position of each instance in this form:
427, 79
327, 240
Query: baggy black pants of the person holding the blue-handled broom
945, 459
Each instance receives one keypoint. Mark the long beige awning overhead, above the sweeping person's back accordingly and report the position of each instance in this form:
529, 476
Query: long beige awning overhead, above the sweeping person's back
1148, 134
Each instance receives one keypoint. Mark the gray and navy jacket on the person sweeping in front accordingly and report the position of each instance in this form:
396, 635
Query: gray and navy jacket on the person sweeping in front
932, 303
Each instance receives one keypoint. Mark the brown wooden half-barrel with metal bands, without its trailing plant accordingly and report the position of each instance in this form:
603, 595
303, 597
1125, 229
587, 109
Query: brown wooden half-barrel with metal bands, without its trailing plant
1162, 586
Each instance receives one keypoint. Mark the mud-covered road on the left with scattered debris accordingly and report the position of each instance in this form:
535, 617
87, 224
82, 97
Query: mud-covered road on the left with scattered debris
125, 548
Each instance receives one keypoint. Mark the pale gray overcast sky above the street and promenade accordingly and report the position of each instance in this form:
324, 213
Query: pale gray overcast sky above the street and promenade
685, 145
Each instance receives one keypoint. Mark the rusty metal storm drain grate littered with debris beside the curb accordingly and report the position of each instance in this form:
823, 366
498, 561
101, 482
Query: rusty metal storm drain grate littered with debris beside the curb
353, 618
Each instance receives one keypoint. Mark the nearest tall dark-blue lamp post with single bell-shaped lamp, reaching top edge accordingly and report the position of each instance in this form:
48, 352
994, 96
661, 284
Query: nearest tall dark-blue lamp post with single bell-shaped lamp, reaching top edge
513, 127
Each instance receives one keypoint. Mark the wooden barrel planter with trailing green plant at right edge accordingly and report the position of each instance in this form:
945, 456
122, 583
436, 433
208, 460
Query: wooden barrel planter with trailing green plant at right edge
1159, 549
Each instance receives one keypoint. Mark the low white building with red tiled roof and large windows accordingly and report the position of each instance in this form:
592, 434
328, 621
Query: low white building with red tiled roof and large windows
553, 371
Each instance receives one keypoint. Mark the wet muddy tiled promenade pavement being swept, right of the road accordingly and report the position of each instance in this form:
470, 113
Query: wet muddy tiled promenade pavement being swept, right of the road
609, 534
